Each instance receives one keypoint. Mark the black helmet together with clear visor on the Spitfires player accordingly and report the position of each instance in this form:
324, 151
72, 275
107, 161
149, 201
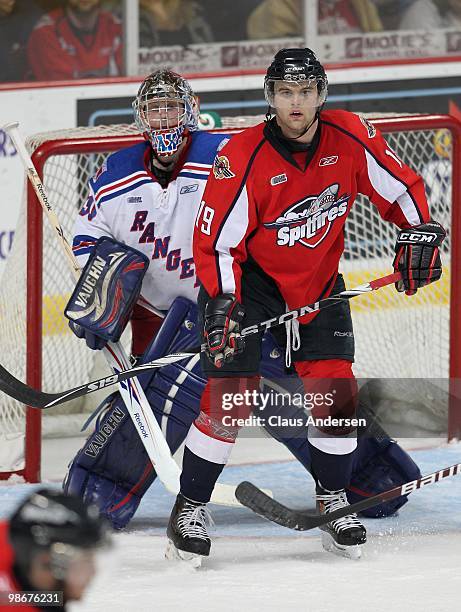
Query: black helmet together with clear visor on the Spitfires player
302, 72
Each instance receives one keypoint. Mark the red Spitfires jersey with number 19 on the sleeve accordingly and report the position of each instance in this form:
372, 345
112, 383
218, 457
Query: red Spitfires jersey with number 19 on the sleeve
259, 204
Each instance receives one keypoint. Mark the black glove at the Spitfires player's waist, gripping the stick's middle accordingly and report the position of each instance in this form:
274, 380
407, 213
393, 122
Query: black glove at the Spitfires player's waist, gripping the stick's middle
223, 315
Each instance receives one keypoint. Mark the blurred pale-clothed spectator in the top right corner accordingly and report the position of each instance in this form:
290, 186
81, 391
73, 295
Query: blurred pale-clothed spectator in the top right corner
432, 14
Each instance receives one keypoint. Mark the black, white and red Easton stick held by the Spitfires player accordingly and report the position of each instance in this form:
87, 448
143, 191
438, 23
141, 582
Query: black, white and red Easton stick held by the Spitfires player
39, 399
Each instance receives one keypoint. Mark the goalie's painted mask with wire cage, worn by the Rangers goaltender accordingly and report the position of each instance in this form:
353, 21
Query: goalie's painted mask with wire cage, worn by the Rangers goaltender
163, 109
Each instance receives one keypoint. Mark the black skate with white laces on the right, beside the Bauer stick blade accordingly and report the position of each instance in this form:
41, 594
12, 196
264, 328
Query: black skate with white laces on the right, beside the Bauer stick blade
343, 536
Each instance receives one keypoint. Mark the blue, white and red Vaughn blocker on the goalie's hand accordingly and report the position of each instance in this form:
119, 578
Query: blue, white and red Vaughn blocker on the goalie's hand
106, 292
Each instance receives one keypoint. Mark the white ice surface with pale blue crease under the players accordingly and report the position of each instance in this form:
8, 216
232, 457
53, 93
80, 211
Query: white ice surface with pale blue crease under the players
411, 562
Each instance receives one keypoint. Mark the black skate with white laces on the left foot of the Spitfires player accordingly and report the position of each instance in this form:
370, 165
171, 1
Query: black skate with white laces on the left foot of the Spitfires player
188, 539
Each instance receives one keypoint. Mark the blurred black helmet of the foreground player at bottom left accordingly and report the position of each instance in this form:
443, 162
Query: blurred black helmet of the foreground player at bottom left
47, 517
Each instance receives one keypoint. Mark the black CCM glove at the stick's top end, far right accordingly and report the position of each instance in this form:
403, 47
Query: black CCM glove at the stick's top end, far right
417, 256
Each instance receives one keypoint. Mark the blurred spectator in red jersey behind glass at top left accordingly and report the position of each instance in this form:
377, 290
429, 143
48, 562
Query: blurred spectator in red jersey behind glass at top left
77, 41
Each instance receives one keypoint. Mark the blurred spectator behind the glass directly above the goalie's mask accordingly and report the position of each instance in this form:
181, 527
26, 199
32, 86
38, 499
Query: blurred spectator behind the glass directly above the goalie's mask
172, 22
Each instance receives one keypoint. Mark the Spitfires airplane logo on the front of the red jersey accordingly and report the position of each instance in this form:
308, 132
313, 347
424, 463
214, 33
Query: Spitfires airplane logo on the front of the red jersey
309, 221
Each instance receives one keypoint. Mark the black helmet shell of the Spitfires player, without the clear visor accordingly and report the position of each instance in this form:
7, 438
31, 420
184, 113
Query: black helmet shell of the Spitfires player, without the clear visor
296, 66
